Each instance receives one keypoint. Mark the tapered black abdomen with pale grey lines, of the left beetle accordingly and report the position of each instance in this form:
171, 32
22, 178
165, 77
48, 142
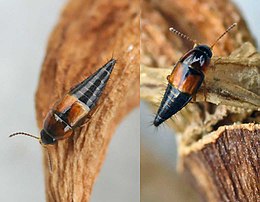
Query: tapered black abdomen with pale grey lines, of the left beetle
89, 91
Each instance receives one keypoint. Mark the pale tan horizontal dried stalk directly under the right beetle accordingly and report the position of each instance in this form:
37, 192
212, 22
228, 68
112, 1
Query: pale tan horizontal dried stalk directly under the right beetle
232, 81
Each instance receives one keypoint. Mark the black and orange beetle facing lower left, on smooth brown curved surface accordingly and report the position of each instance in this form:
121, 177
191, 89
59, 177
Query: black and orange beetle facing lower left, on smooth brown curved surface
73, 109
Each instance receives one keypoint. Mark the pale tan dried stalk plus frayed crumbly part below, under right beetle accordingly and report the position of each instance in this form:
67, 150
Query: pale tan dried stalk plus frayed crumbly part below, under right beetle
232, 82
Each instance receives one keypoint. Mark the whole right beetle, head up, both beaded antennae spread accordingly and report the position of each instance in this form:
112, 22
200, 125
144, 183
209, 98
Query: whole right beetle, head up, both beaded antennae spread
186, 78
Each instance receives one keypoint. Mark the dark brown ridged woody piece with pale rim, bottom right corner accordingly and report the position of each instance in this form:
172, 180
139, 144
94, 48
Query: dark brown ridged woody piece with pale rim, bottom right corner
225, 163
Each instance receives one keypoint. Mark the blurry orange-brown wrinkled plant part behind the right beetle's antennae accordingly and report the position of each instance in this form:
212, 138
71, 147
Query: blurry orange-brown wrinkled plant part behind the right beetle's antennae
203, 21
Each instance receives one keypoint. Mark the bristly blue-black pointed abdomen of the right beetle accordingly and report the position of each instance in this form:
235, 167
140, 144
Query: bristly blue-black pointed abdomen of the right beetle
173, 101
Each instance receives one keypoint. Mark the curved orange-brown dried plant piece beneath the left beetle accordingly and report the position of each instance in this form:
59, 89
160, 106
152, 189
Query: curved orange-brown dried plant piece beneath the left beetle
87, 35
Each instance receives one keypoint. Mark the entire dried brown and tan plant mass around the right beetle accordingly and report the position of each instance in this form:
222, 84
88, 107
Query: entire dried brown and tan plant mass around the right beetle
220, 159
